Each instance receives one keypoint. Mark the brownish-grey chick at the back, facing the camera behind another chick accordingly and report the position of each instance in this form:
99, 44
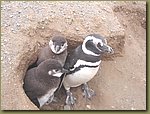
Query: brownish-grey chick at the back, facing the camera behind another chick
57, 49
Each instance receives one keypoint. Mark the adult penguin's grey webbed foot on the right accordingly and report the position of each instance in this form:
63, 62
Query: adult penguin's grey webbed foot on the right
87, 92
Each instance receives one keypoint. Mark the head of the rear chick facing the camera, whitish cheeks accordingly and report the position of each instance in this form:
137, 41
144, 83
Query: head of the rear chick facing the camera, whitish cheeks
58, 44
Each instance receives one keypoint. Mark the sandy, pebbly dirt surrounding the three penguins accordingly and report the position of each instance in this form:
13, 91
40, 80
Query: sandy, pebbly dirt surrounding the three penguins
120, 83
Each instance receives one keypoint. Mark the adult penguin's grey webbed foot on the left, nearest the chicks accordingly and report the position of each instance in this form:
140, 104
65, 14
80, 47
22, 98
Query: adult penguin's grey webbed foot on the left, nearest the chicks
70, 100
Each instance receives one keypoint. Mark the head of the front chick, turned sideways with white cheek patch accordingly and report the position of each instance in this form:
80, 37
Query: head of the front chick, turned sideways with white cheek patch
52, 67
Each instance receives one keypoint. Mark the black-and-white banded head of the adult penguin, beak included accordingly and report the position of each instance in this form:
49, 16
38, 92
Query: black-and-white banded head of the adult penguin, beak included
95, 44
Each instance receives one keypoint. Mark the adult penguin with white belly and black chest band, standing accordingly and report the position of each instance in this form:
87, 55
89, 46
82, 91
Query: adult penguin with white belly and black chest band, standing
83, 64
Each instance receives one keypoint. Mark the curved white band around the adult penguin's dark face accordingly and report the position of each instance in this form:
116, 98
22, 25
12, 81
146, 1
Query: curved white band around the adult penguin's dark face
95, 41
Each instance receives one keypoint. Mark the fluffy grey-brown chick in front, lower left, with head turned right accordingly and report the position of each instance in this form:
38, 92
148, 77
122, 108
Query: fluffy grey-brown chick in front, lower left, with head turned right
41, 82
